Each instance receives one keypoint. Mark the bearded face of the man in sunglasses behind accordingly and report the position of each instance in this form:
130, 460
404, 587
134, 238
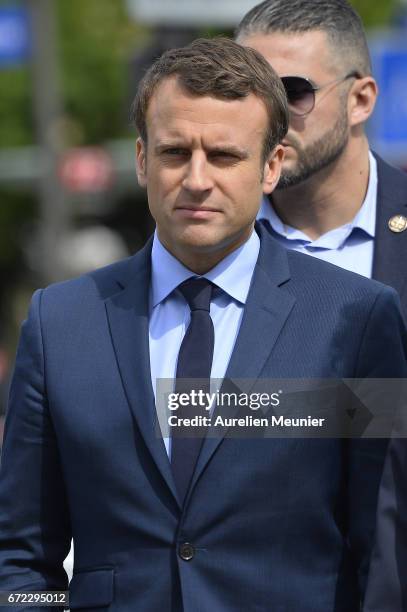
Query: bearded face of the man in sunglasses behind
316, 140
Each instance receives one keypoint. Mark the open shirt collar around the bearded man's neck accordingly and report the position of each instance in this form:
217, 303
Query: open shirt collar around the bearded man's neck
365, 218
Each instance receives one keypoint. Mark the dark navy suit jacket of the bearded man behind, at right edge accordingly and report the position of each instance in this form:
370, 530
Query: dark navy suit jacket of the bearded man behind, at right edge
387, 588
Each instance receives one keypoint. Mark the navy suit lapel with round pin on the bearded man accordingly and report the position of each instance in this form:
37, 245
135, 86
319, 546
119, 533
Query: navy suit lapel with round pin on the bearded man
390, 254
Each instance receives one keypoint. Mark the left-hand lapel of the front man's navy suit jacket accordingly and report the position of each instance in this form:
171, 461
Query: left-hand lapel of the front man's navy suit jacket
128, 315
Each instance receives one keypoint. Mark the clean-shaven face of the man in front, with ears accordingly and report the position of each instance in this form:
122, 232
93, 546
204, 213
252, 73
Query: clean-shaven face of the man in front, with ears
203, 171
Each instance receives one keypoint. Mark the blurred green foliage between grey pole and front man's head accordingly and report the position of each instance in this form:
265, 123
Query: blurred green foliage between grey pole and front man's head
97, 39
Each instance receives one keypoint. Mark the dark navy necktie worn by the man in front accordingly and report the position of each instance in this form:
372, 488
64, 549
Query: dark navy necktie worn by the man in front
194, 362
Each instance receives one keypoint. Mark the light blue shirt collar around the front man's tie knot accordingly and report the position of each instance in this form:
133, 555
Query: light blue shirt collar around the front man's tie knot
233, 274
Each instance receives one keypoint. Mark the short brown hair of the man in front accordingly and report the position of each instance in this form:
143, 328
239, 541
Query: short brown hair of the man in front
221, 68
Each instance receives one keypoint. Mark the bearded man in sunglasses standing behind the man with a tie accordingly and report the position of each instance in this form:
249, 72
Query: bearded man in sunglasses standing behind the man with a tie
336, 199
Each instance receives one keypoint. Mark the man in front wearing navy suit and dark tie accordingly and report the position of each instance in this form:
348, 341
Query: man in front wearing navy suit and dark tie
276, 524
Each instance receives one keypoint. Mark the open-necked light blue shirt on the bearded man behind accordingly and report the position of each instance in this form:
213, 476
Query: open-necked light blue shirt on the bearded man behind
349, 246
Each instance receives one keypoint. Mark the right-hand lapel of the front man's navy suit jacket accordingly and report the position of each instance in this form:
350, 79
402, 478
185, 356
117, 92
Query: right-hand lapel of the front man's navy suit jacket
267, 309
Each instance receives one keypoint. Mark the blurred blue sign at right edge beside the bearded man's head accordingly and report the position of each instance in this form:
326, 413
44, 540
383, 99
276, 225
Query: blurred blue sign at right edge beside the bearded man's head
388, 126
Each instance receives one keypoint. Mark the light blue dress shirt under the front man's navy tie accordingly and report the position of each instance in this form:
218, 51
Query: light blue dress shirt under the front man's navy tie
170, 313
